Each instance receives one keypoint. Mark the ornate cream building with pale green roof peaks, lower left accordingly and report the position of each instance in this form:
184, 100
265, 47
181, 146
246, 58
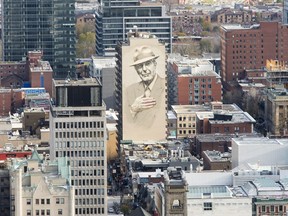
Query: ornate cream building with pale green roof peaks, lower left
41, 187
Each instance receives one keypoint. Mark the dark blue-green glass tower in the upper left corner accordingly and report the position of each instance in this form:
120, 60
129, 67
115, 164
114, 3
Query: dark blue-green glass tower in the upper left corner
47, 25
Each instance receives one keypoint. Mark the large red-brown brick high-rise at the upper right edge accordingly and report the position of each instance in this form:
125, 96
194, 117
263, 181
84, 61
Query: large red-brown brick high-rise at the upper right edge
248, 47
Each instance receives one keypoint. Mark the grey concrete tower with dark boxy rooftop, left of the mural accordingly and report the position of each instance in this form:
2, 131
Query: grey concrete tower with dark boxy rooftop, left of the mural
78, 131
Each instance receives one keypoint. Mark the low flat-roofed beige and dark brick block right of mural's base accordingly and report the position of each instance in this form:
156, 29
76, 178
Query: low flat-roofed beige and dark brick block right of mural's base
211, 118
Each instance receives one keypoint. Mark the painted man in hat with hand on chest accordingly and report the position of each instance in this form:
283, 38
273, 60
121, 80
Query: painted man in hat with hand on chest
144, 98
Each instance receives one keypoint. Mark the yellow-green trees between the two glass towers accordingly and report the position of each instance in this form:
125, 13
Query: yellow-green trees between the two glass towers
85, 46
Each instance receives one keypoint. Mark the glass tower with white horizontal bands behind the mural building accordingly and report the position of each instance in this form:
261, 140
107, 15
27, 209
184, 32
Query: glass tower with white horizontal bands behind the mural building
115, 19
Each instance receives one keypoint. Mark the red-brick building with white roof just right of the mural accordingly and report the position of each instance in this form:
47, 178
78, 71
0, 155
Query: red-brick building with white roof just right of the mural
193, 82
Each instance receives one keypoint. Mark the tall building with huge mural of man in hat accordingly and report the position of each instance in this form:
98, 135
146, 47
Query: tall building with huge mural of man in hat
141, 92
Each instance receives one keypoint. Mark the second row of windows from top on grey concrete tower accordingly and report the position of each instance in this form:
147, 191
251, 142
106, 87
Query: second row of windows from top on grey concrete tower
83, 134
